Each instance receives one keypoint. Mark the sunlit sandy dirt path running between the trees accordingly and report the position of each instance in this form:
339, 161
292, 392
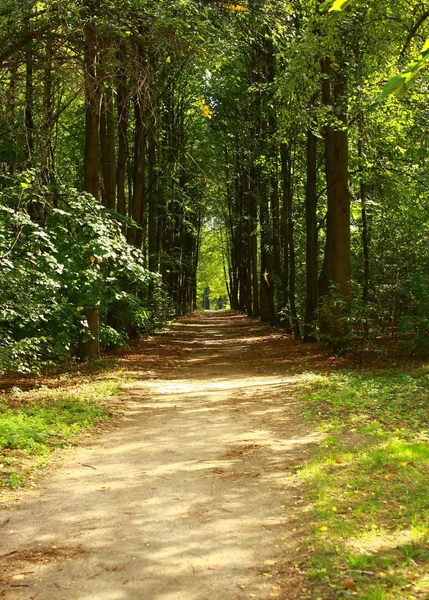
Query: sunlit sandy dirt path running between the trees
192, 497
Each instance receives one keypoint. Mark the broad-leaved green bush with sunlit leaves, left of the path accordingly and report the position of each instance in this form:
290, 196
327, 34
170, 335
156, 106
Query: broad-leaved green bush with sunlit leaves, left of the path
61, 252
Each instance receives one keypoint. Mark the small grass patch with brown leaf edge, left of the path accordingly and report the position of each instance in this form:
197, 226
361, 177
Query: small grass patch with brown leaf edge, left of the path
35, 423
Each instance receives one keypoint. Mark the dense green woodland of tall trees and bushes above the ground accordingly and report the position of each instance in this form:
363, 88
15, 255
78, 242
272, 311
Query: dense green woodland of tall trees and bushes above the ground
151, 149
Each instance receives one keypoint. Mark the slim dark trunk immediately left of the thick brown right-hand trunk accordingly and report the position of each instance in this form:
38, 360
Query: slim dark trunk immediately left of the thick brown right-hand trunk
312, 241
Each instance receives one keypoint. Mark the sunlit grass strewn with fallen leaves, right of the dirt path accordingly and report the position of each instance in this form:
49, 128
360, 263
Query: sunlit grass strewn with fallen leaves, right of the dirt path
369, 484
